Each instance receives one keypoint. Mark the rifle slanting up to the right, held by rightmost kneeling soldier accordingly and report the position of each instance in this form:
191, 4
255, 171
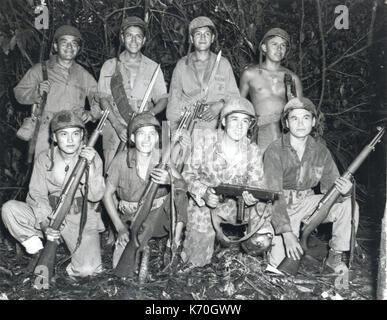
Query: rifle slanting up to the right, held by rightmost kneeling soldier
290, 266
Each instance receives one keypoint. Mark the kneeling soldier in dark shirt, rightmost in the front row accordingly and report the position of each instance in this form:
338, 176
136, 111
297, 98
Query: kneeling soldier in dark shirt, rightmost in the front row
297, 163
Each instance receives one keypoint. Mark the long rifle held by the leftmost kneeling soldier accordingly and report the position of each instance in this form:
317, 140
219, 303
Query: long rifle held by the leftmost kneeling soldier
45, 265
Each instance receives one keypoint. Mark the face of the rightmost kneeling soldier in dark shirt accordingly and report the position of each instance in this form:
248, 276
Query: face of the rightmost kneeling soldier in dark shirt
300, 122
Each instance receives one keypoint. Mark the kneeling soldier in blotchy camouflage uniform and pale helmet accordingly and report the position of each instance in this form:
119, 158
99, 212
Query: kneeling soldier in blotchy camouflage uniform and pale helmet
223, 156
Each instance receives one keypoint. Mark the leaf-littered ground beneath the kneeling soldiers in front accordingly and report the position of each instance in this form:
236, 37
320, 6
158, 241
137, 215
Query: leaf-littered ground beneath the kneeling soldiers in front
232, 275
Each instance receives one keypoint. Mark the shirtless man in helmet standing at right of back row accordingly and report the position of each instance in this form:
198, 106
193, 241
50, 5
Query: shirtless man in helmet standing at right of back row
265, 85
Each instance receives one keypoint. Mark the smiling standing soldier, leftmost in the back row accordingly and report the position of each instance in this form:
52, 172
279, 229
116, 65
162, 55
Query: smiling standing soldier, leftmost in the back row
67, 86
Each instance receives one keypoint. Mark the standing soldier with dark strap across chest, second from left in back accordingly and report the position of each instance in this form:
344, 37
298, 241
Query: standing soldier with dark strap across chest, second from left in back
124, 81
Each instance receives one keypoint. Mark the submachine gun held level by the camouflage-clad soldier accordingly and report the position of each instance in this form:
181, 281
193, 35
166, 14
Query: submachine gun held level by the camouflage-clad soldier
235, 191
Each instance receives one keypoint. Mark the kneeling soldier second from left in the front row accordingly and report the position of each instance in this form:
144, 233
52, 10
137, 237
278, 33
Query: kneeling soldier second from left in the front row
128, 177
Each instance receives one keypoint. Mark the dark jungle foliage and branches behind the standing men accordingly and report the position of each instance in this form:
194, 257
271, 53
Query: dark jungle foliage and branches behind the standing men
342, 71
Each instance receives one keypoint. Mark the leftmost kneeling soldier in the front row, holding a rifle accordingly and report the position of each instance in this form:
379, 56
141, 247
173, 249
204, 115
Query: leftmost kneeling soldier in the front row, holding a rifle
29, 221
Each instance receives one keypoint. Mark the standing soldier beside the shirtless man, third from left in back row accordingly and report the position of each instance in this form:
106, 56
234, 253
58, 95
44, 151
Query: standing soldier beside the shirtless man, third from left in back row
192, 74
